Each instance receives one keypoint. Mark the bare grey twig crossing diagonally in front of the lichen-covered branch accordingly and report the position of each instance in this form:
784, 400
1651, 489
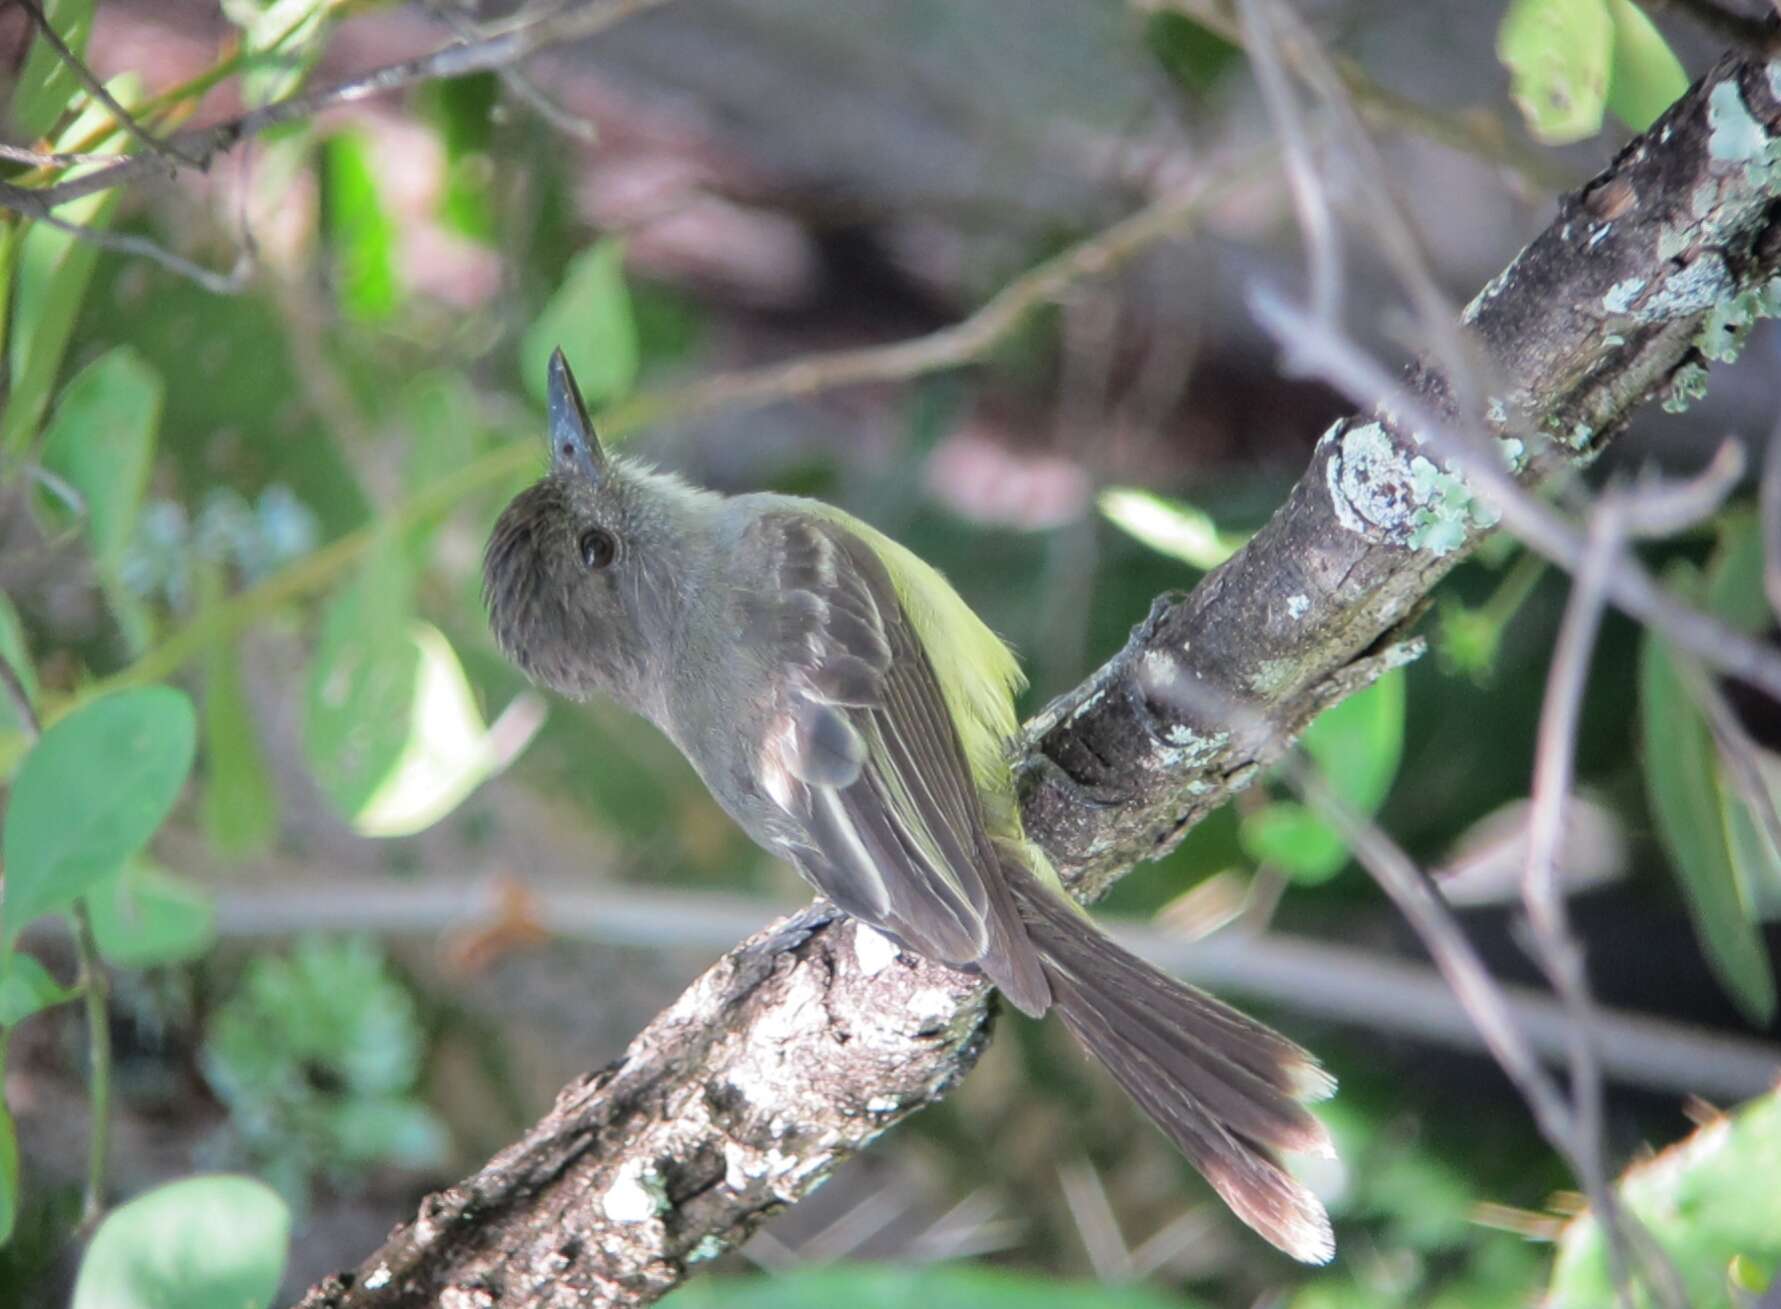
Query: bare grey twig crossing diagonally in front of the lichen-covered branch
1310, 350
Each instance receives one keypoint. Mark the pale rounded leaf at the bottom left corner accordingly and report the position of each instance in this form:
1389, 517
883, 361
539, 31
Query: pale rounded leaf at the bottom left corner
197, 1244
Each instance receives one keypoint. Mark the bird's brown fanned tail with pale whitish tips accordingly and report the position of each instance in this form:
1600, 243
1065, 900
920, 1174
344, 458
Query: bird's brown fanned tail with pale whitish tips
1224, 1089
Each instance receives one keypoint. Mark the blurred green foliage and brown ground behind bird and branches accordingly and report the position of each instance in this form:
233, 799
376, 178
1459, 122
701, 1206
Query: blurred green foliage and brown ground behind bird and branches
341, 904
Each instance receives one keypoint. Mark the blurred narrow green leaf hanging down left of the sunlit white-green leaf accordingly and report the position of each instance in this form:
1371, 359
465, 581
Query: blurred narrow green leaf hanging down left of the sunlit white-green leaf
240, 802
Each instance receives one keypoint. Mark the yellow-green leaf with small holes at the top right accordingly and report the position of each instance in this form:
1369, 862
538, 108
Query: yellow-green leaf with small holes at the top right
1559, 54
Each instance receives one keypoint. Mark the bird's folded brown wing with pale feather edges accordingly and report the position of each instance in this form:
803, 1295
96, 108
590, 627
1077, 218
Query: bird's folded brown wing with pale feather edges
865, 756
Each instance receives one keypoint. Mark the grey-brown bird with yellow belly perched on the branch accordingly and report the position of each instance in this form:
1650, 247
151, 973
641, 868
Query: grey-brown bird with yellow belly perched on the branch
854, 717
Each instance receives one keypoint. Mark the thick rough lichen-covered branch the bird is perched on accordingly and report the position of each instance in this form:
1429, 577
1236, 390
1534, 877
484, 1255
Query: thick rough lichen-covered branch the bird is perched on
808, 1041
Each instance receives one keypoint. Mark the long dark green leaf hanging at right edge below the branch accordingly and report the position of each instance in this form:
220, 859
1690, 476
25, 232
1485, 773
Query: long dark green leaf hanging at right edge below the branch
1680, 781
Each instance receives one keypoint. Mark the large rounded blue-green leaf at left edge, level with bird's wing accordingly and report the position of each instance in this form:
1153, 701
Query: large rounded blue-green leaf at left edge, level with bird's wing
90, 795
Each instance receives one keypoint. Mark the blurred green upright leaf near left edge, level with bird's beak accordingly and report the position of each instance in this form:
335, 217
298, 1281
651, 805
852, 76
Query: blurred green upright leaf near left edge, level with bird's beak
102, 443
